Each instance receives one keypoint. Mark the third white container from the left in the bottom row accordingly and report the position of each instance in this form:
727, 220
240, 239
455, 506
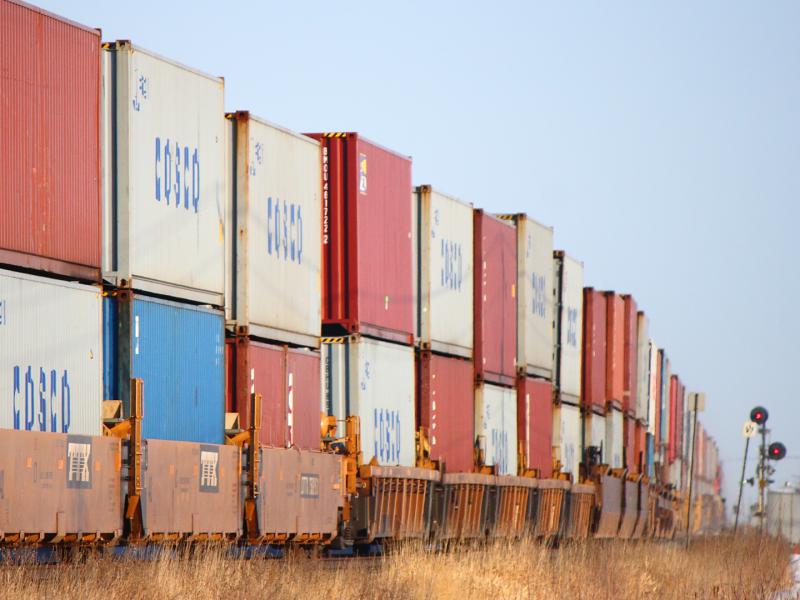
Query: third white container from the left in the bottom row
496, 426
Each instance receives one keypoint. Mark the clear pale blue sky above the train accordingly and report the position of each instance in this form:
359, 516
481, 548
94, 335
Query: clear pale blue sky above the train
661, 142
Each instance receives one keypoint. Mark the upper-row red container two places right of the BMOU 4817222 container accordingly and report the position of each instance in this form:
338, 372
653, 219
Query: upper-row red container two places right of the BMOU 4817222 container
495, 305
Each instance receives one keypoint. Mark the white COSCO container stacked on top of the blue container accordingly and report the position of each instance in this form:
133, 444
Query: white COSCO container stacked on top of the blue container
166, 200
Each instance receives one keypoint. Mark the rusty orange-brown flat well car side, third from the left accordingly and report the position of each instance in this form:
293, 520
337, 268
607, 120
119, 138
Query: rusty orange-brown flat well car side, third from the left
308, 501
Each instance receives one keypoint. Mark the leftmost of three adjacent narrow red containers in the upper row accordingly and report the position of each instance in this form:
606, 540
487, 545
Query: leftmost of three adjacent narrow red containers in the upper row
593, 386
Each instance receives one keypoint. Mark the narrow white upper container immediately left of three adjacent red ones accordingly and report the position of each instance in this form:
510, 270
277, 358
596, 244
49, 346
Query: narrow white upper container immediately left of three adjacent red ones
568, 309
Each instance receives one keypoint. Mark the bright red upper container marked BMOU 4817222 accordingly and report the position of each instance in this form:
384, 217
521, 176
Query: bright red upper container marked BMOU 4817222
367, 282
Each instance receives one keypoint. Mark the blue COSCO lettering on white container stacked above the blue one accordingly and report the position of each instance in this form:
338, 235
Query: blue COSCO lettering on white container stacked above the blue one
177, 174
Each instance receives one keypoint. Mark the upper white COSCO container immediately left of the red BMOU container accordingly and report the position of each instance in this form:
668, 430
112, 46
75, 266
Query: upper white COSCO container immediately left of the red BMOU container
278, 222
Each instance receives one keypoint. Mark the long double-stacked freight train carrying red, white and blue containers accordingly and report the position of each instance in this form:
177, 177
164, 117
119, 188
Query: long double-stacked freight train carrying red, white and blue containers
214, 328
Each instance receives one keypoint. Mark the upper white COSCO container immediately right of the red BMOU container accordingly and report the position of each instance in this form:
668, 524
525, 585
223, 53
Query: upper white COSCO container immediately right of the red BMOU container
444, 271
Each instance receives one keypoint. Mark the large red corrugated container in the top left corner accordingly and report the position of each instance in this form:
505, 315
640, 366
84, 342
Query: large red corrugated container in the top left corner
49, 143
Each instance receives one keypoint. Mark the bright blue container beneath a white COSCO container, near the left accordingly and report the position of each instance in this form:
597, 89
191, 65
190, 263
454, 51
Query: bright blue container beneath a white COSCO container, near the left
178, 351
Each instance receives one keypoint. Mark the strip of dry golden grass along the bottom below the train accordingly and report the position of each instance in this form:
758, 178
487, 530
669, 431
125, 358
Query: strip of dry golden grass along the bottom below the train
746, 568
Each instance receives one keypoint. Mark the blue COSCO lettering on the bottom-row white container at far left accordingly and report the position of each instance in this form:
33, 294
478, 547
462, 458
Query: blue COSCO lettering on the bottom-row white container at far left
41, 409
